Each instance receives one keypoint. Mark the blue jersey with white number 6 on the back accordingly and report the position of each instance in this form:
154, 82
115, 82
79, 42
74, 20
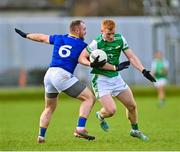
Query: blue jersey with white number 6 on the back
66, 51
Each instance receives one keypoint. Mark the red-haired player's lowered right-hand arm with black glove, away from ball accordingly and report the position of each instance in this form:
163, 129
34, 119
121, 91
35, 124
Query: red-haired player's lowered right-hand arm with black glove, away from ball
138, 65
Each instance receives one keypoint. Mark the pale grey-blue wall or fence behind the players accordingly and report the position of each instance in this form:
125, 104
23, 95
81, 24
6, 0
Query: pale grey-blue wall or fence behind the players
16, 52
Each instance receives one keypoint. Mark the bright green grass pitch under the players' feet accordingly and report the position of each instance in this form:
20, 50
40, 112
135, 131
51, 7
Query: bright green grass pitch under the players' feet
19, 119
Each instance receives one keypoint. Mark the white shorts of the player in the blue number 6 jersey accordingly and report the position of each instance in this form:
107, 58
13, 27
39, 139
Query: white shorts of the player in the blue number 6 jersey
57, 80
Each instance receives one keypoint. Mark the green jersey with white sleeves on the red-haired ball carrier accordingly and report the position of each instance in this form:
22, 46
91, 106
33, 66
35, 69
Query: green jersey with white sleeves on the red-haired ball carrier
112, 49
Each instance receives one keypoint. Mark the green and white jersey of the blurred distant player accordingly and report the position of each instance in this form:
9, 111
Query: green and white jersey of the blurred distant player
159, 67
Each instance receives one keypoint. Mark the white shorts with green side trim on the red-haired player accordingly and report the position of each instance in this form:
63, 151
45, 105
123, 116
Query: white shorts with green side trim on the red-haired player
103, 85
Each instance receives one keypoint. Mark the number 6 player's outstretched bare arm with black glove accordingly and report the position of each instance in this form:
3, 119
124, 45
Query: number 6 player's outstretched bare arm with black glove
33, 36
